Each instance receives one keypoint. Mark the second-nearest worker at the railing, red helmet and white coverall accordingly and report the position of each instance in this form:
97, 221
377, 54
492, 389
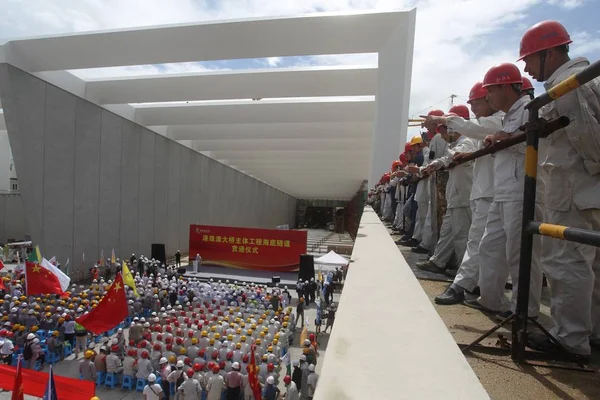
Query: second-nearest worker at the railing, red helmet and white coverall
499, 251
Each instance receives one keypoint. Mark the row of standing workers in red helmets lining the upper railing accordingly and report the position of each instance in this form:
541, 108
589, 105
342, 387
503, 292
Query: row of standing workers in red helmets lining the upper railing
476, 207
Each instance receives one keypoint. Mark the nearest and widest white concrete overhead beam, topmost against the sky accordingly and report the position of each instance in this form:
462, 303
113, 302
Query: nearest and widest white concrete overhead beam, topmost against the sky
326, 33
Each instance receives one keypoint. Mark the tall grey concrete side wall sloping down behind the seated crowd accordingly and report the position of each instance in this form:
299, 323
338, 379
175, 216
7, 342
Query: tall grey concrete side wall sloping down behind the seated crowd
92, 180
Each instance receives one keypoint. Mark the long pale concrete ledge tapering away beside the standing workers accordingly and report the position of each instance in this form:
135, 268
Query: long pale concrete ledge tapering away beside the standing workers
388, 341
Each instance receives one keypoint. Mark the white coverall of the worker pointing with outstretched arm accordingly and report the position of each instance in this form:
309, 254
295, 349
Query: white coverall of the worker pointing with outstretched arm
482, 193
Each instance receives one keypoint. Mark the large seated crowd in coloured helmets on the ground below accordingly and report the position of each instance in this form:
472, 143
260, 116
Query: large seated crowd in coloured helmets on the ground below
186, 338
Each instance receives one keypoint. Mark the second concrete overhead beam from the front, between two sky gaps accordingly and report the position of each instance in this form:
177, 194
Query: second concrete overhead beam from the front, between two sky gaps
222, 85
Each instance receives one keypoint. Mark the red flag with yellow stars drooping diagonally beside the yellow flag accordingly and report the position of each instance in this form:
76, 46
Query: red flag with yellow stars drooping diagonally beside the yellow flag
110, 312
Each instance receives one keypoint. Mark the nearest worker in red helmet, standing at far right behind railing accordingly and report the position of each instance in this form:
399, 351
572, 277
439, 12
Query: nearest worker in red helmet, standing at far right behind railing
572, 196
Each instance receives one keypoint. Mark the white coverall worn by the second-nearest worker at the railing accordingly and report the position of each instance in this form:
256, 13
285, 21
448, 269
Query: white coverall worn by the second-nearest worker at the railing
499, 251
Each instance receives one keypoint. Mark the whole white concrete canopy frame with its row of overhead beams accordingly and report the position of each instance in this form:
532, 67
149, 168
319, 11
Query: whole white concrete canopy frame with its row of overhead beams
305, 137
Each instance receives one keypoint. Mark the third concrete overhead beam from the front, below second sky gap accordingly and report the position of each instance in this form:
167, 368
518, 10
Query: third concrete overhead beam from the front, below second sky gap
258, 112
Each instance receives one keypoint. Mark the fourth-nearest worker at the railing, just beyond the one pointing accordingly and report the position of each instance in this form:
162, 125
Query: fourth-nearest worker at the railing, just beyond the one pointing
457, 219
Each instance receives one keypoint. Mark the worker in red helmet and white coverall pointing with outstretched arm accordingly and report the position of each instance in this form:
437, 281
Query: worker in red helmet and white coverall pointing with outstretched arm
482, 193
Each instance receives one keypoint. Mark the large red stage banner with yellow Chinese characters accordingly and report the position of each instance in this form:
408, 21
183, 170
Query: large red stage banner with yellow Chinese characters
247, 248
